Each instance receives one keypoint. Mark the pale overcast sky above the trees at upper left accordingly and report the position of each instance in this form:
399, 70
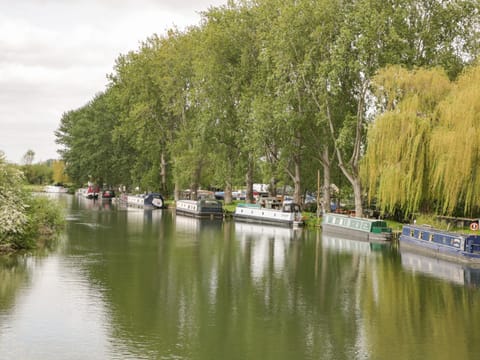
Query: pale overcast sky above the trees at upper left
55, 55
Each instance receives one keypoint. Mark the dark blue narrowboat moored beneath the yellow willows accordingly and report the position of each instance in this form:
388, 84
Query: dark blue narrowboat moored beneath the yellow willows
445, 244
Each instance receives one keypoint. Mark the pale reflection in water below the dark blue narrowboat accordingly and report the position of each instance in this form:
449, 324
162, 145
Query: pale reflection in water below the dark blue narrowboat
450, 271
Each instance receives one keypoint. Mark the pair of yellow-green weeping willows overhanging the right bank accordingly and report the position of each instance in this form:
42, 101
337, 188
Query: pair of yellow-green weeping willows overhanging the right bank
424, 152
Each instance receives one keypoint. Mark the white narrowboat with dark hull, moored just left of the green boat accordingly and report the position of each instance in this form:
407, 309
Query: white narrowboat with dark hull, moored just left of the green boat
286, 215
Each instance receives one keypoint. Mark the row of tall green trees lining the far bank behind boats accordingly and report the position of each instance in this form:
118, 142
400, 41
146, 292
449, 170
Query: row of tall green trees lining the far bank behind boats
263, 90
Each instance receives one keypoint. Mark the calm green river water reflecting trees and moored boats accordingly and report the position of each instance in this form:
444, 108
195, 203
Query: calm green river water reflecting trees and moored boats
134, 284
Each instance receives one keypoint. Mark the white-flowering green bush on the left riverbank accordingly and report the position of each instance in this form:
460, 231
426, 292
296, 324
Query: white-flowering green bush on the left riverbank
25, 220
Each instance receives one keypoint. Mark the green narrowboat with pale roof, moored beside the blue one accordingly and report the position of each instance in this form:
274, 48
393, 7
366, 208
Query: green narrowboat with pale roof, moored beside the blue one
356, 228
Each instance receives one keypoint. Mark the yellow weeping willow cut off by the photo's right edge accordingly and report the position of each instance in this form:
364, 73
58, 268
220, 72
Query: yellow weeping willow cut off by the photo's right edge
455, 147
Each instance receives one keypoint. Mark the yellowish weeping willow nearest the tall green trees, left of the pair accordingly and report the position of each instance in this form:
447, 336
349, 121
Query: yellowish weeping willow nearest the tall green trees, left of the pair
396, 166
